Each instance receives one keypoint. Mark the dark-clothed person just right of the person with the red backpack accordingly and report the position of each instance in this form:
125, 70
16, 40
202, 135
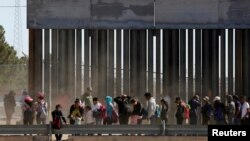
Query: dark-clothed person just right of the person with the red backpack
194, 104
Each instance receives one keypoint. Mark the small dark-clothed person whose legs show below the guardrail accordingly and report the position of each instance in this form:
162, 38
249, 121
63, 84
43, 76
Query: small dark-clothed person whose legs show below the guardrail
57, 113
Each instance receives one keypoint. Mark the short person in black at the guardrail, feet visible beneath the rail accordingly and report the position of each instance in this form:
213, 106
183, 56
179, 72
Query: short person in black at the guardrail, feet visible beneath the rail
57, 118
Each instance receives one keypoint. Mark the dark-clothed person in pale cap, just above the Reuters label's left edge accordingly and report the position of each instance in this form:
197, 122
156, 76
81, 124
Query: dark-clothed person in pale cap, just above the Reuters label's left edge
206, 111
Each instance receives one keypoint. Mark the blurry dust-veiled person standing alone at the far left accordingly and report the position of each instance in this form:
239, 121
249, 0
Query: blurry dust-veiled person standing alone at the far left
9, 106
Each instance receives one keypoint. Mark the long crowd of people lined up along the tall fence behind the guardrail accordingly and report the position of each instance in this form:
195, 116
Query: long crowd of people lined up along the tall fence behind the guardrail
89, 110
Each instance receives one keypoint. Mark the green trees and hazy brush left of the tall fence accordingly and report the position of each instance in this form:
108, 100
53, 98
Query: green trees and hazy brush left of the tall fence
13, 70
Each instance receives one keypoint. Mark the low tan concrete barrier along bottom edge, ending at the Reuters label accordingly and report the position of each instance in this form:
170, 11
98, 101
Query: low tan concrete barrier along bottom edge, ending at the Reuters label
137, 138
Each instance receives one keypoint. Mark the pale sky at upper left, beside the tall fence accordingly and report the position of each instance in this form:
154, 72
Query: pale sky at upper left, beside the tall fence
7, 16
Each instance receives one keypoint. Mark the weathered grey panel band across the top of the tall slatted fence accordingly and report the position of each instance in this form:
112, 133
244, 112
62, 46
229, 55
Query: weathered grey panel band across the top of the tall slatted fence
138, 14
